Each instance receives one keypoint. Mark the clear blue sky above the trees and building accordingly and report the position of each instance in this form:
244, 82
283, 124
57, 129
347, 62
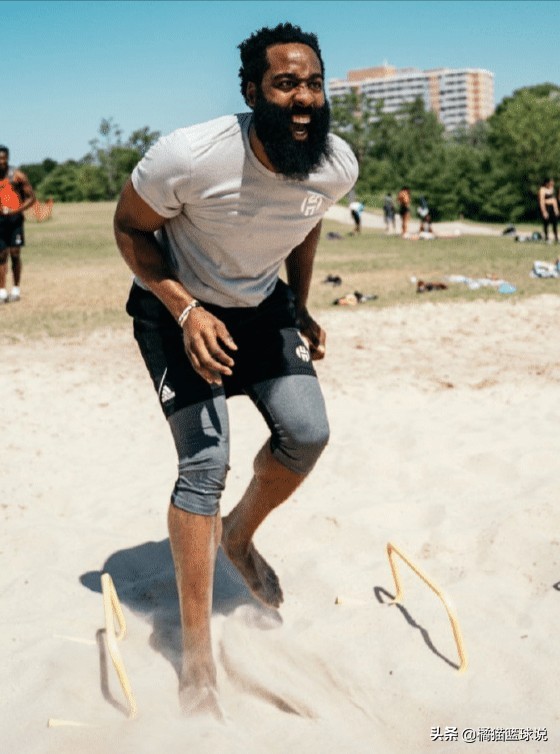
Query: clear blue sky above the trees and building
164, 64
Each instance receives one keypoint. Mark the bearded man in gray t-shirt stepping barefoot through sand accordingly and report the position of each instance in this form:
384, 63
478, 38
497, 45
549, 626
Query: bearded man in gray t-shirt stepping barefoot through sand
206, 222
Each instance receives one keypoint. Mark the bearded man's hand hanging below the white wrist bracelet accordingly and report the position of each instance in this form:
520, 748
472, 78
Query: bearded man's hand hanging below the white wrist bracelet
204, 337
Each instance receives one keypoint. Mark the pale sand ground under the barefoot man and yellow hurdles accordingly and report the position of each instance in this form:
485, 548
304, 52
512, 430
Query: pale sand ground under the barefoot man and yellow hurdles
444, 423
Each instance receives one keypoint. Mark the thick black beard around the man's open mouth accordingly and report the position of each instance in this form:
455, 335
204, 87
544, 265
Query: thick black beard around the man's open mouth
294, 159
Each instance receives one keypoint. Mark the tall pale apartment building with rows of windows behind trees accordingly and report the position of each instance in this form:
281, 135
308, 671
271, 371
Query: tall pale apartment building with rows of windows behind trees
459, 97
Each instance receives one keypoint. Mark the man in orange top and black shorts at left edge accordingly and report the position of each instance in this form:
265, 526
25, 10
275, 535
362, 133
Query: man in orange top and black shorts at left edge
16, 195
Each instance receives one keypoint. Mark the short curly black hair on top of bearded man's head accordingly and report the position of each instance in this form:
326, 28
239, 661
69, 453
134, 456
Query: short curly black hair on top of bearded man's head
254, 62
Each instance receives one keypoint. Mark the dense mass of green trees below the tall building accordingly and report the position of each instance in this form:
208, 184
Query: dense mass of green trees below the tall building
489, 171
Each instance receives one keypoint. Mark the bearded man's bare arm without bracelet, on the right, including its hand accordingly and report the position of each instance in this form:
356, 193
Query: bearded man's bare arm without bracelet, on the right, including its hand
299, 268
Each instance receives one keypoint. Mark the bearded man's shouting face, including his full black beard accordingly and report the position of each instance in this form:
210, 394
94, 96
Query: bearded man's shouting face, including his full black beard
291, 115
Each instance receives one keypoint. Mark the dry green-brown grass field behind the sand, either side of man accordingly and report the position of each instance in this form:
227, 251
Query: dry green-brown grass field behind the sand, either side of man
75, 281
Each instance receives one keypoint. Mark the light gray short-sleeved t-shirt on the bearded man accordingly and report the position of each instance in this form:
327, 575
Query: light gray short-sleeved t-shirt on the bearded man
231, 222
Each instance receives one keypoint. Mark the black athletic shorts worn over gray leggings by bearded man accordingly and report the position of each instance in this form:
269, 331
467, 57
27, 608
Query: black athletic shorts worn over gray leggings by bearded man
268, 340
